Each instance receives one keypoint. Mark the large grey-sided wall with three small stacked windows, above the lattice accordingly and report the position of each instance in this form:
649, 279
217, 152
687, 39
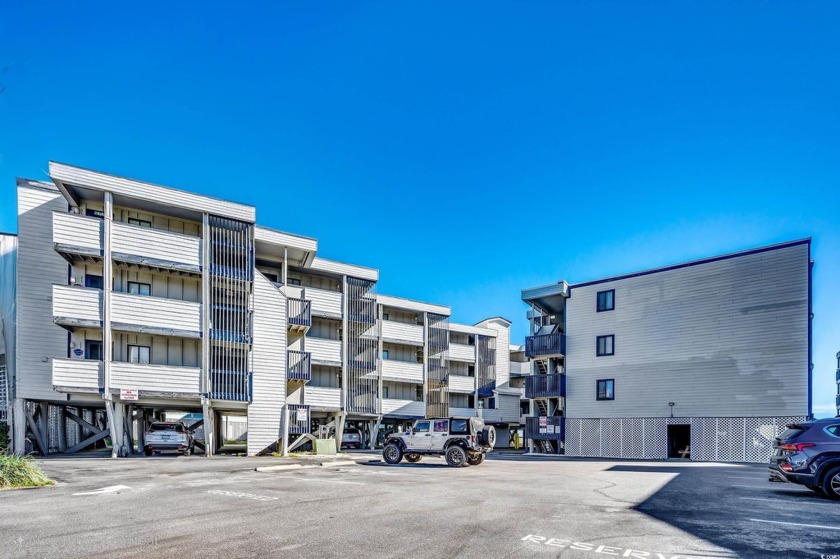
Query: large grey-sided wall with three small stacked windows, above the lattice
726, 338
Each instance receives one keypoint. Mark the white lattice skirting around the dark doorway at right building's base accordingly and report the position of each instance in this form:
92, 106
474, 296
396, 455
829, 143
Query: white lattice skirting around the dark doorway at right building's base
726, 439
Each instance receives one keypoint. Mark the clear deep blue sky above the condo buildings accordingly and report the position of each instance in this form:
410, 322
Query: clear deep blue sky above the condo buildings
467, 149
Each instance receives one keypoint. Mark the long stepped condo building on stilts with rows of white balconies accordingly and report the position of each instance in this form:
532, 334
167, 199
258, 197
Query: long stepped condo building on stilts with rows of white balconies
134, 298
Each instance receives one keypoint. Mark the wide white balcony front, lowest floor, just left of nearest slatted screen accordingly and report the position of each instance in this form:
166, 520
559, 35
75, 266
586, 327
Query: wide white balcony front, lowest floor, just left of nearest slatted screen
158, 381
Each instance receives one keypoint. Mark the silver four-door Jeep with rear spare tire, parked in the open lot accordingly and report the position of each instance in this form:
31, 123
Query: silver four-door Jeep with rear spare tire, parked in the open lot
463, 441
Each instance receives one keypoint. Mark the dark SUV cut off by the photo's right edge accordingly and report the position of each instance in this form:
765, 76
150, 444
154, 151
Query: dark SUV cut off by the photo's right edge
808, 453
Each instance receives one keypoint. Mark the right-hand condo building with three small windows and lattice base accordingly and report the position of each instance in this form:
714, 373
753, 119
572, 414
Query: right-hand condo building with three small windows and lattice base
706, 360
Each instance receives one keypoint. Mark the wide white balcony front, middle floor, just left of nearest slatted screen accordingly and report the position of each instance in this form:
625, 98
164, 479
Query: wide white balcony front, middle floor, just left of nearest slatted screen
155, 315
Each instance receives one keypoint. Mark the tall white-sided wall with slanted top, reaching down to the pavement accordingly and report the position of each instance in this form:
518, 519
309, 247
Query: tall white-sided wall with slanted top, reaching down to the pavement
265, 412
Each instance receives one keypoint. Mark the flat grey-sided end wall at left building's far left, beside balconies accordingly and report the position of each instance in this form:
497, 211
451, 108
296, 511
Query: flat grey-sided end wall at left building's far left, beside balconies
39, 266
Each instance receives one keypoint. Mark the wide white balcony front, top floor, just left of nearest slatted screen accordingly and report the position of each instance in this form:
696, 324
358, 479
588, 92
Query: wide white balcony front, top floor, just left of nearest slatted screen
155, 249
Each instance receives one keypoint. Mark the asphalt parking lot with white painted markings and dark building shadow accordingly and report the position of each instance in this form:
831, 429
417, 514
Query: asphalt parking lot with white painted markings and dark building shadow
511, 506
